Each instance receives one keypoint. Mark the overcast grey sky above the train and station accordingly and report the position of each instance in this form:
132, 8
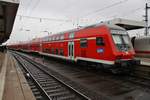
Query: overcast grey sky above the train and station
60, 15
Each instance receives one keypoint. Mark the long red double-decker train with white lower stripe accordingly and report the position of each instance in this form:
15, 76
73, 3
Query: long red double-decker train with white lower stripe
100, 43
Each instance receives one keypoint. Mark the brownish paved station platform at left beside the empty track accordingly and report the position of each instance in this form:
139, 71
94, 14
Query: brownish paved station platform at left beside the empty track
13, 85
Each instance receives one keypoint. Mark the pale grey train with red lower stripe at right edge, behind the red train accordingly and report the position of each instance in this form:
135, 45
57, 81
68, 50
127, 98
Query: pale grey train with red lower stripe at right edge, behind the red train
142, 46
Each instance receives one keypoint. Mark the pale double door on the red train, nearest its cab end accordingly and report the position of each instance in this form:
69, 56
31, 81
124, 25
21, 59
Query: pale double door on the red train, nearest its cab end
71, 50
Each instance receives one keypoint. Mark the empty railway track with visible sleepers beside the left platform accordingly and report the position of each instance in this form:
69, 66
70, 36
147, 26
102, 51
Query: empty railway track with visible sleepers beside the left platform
51, 87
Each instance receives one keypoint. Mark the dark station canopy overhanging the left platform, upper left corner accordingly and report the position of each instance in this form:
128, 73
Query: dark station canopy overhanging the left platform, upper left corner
8, 10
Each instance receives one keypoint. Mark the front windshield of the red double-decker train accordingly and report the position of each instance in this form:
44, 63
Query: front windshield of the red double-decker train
122, 40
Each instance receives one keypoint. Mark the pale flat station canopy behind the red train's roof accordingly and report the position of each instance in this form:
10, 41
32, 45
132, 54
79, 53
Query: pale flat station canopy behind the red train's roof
127, 24
